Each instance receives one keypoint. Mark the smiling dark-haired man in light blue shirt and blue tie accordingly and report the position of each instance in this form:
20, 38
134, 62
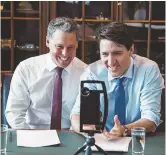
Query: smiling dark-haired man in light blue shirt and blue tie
134, 83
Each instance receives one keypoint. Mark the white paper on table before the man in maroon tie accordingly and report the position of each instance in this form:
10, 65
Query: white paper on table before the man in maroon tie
37, 138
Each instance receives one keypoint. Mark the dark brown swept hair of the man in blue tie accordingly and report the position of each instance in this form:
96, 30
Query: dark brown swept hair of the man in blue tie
117, 32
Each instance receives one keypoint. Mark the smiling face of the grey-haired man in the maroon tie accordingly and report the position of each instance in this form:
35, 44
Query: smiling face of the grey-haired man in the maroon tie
62, 46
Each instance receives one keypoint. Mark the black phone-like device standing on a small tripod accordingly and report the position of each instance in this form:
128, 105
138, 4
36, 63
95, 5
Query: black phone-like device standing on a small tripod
90, 113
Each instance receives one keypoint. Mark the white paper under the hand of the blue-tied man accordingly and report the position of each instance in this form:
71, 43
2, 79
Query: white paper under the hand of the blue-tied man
120, 144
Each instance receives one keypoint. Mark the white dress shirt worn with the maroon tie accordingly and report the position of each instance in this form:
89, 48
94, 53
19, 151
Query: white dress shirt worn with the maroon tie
29, 103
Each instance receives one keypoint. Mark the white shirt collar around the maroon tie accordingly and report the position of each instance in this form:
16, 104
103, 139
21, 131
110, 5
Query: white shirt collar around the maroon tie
51, 64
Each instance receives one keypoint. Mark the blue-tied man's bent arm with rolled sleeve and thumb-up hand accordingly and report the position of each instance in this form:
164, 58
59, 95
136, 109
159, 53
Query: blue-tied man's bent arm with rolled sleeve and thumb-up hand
150, 97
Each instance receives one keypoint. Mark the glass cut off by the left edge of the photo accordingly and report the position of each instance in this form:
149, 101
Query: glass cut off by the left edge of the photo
4, 131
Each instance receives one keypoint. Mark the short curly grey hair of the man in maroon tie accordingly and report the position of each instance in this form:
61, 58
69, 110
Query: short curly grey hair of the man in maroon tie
64, 24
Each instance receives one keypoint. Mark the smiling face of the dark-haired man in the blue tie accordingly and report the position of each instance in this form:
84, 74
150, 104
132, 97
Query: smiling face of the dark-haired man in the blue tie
116, 58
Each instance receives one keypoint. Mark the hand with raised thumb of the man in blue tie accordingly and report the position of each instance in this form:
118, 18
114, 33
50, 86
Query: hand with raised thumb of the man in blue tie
117, 130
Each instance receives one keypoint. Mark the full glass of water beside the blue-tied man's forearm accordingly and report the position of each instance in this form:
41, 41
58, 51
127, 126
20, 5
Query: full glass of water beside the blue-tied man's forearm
138, 140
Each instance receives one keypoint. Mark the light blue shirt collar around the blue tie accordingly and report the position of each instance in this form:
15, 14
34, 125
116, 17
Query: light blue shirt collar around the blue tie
127, 74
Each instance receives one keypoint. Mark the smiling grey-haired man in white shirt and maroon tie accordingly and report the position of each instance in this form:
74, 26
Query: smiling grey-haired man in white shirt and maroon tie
44, 88
